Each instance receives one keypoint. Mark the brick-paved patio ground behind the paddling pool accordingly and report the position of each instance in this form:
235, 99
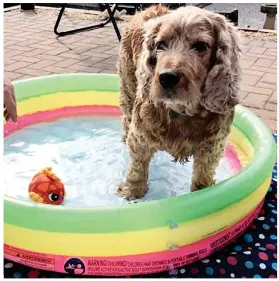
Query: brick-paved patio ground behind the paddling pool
31, 49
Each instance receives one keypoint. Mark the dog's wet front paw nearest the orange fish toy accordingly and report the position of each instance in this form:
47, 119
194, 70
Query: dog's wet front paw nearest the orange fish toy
131, 191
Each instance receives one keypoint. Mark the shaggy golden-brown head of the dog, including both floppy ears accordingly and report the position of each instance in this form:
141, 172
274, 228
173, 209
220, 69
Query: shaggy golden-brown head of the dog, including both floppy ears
192, 58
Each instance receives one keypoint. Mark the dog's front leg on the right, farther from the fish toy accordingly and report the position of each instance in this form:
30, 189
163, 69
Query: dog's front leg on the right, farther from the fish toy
206, 160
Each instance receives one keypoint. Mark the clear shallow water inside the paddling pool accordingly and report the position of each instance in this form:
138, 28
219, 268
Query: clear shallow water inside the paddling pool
89, 157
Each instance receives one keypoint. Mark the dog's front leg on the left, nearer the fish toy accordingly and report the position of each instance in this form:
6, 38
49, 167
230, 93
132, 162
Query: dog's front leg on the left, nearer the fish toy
135, 185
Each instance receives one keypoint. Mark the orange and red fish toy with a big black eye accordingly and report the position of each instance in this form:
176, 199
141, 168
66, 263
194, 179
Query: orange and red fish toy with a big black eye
46, 188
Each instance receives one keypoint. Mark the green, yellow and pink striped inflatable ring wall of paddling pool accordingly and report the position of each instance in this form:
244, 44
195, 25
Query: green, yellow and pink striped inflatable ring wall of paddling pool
131, 239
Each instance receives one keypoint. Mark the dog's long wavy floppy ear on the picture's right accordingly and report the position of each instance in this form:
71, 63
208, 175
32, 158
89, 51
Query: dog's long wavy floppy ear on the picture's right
220, 89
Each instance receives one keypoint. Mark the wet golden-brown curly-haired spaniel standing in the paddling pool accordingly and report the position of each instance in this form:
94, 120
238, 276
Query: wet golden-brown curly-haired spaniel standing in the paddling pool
179, 81
